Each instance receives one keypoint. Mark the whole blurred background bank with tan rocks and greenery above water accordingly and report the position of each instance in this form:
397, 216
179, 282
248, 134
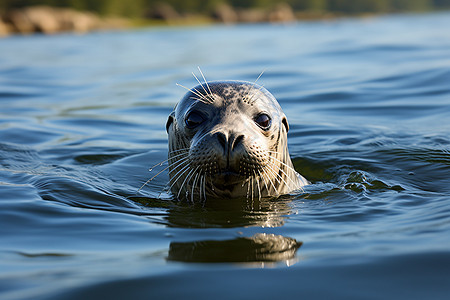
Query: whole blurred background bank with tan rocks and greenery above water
50, 16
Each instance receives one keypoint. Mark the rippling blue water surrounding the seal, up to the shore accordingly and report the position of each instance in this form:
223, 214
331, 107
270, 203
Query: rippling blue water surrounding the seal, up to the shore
82, 118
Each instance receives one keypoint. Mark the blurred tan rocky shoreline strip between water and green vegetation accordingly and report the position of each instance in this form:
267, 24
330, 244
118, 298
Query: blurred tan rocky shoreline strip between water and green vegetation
52, 20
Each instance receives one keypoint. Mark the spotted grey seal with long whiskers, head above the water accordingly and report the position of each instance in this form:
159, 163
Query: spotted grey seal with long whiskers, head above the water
228, 139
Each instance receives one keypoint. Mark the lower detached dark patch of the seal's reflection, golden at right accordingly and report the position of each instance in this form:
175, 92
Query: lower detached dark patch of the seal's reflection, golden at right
261, 248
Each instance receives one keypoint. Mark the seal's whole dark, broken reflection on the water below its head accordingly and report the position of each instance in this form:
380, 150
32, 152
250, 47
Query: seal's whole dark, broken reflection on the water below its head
261, 248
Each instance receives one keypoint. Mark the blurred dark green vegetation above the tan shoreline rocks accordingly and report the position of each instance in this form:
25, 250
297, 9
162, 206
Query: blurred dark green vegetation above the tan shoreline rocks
138, 8
